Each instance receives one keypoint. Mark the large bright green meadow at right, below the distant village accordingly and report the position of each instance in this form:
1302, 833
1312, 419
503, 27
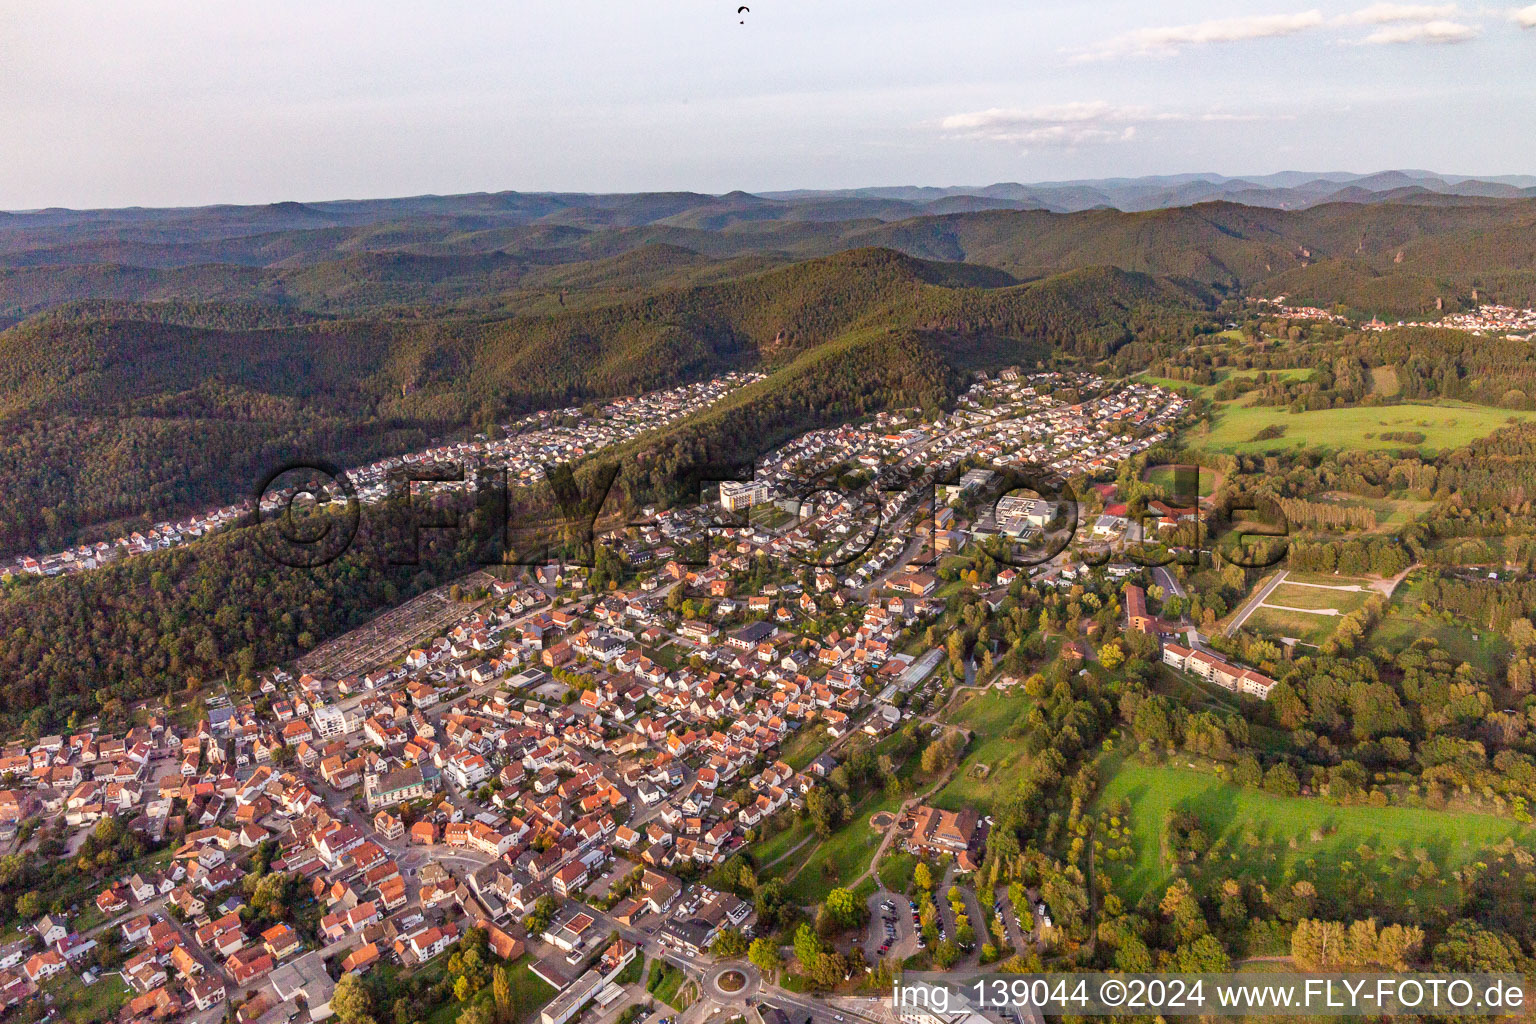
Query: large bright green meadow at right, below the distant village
1445, 426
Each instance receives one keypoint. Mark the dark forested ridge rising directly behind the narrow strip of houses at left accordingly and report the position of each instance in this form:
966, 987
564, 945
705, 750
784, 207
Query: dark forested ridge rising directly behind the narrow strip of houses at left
113, 412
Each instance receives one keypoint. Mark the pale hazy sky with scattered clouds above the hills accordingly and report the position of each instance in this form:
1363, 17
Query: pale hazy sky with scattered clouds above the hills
167, 104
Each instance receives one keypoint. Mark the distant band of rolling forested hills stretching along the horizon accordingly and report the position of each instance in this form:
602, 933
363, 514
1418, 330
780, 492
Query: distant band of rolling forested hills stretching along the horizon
1397, 257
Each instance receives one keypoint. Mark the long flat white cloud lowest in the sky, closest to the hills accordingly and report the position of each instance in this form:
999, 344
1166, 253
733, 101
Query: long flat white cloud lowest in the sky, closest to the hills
1068, 125
